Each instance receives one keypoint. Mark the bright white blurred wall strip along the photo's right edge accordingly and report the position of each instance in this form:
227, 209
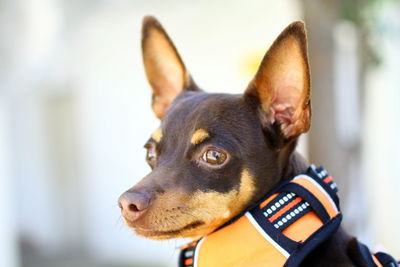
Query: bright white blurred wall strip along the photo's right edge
381, 134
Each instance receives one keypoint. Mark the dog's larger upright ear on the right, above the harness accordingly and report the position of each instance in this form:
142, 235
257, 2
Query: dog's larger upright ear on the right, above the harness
281, 87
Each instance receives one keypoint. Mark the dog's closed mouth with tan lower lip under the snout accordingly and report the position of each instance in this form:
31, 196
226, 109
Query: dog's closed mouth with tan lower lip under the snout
165, 234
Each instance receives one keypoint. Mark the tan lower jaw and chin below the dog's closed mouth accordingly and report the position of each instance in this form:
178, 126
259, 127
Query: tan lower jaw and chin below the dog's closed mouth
188, 231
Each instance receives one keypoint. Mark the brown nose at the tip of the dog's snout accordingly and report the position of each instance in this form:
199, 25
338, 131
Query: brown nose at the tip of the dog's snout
134, 204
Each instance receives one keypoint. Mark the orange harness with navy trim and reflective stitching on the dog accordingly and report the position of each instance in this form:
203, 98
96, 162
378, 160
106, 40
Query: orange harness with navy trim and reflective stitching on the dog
281, 230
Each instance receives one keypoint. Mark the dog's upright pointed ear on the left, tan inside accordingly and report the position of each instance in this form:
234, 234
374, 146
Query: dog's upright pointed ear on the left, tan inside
165, 69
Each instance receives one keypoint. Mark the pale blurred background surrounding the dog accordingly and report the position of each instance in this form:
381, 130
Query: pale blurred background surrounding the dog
75, 113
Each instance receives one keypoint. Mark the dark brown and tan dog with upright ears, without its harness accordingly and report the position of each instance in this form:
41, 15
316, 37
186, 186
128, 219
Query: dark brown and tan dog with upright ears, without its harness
215, 156
